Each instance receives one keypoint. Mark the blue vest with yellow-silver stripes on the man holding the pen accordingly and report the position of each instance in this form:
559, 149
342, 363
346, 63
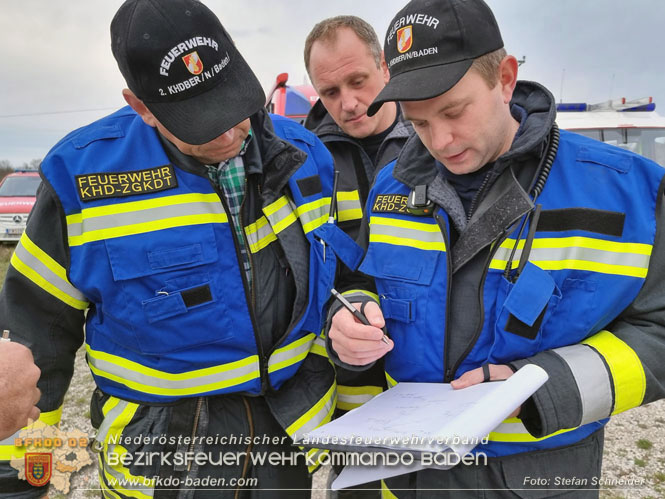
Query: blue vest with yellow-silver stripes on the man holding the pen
589, 260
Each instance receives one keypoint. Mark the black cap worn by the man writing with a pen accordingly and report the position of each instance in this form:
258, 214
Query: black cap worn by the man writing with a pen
431, 44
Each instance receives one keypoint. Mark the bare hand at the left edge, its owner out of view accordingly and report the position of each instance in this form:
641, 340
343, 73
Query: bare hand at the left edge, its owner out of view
18, 388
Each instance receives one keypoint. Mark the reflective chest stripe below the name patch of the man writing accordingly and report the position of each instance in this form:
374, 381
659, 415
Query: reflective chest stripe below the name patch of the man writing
424, 236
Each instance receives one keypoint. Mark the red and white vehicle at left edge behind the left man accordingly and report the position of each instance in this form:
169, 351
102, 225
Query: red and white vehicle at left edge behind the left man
17, 197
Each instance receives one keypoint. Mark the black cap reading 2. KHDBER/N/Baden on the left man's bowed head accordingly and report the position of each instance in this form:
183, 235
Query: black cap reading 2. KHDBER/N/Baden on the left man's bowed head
179, 60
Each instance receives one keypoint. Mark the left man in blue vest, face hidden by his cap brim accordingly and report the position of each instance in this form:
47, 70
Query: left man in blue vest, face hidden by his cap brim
194, 246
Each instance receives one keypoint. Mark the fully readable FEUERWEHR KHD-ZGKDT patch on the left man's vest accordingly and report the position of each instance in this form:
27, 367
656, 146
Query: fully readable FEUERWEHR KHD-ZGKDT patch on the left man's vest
112, 185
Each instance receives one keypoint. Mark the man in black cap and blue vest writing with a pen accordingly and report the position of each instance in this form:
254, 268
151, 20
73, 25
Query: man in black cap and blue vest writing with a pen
496, 241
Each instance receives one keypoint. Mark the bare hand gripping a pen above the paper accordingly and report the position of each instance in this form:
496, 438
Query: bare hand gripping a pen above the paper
356, 343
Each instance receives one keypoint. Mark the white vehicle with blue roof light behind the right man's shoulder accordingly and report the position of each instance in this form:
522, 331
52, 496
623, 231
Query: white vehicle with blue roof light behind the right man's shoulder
632, 125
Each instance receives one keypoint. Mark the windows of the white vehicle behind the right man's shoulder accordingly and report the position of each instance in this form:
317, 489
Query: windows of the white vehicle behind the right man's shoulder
649, 142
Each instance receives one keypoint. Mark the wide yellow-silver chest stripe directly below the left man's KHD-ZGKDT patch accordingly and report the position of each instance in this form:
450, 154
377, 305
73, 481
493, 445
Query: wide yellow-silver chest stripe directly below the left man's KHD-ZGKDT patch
138, 217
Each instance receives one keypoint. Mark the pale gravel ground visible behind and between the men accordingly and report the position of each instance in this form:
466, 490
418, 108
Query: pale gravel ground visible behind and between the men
634, 448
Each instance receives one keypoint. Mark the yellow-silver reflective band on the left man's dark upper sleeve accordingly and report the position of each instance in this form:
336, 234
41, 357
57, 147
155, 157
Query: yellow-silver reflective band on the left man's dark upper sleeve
31, 261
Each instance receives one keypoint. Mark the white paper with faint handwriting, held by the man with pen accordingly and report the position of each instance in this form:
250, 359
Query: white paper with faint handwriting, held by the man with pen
429, 416
